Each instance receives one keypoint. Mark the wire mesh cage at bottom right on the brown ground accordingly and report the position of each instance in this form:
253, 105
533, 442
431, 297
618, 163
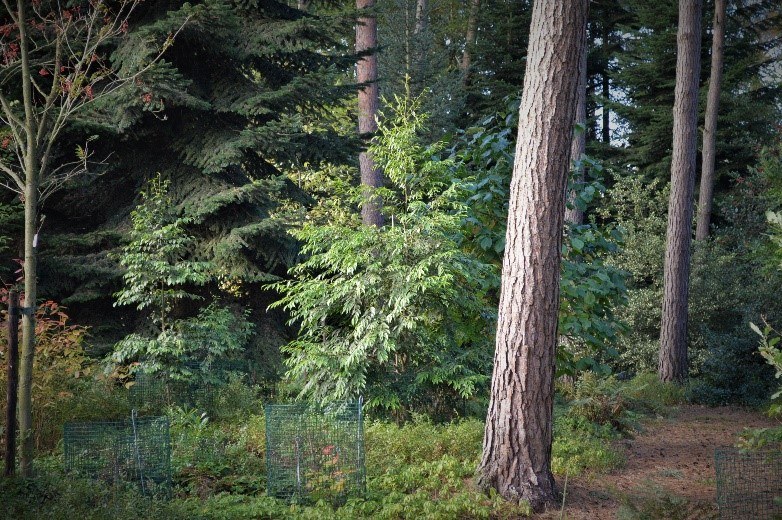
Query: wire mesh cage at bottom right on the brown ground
749, 484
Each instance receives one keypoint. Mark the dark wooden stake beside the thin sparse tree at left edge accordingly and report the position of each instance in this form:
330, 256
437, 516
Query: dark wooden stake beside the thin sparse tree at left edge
13, 383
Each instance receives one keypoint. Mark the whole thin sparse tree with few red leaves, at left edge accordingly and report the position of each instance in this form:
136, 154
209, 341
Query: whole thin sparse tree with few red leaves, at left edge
53, 67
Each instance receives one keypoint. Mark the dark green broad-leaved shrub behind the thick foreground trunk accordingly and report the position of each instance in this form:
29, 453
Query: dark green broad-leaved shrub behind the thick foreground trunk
591, 287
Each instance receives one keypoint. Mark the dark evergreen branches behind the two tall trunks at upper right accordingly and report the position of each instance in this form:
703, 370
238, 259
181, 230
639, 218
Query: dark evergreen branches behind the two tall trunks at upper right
645, 75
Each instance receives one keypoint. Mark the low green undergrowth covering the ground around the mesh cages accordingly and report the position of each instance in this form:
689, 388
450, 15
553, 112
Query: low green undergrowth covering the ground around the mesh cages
415, 469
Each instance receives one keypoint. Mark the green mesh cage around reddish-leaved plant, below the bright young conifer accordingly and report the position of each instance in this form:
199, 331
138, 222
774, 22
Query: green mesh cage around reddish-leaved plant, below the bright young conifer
315, 453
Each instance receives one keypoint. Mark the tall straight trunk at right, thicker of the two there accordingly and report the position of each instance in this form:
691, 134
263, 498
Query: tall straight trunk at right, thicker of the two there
673, 331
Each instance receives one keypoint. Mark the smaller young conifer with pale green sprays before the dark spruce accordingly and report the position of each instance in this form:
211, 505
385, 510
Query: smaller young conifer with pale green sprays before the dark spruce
157, 278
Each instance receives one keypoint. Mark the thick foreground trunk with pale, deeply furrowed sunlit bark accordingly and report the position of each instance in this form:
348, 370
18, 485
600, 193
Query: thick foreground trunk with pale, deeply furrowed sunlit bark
516, 457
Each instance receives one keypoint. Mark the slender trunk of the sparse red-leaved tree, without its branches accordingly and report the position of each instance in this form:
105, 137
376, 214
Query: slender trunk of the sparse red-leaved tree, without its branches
31, 167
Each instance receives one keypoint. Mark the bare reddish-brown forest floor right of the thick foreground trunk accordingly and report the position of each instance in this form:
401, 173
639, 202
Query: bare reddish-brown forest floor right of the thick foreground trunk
670, 464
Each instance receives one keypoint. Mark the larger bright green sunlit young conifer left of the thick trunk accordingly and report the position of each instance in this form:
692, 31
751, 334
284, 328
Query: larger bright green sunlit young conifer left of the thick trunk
398, 313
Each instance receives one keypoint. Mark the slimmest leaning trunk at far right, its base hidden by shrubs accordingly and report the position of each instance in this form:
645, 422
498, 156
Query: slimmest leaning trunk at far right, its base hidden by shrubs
710, 127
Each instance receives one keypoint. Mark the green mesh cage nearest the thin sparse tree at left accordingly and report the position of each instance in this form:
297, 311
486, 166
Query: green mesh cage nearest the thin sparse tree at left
136, 450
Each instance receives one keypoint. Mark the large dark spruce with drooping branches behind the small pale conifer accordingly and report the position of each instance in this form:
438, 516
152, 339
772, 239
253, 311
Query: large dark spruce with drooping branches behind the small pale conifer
242, 94
